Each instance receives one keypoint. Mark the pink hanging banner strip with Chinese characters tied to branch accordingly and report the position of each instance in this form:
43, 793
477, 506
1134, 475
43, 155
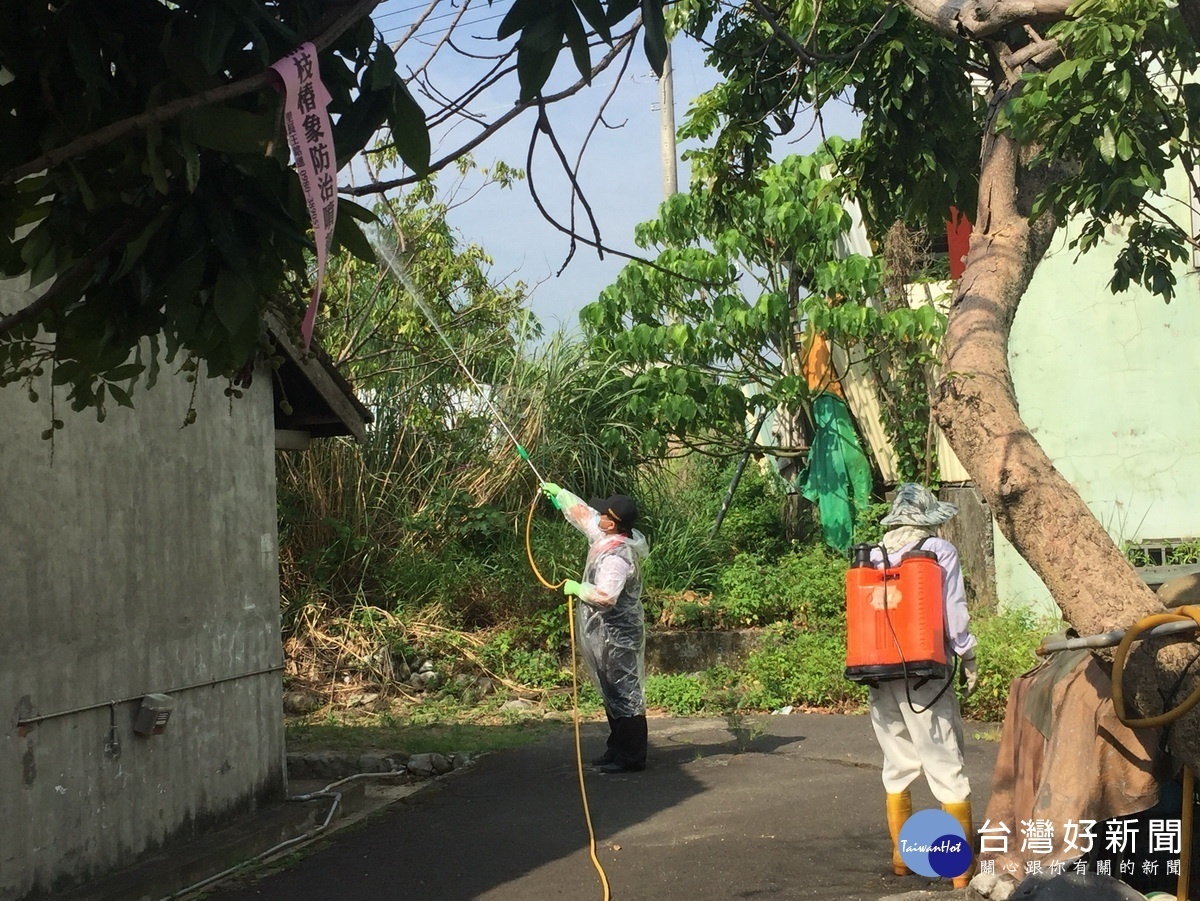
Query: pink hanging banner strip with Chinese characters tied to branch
313, 147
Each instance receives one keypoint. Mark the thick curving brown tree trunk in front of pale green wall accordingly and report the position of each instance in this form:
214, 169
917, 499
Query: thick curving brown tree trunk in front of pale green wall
1035, 507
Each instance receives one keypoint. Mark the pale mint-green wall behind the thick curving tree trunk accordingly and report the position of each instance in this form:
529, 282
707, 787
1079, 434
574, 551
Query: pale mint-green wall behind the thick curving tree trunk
1107, 383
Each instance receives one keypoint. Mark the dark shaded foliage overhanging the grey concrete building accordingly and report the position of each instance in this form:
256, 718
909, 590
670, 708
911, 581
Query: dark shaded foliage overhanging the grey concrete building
170, 236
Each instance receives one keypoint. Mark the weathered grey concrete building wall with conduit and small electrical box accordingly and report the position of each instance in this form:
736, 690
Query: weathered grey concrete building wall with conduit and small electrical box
135, 557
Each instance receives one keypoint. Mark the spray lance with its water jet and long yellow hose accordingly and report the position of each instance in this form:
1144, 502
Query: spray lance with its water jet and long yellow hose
388, 254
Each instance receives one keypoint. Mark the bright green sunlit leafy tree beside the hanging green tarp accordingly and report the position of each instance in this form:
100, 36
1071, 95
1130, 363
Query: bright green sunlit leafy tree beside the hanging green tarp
715, 331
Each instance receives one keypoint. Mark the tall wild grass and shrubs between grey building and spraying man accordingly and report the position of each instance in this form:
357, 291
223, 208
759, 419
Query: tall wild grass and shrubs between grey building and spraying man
425, 521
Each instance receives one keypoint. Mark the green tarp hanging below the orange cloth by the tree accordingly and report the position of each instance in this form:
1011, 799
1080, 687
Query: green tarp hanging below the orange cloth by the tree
838, 478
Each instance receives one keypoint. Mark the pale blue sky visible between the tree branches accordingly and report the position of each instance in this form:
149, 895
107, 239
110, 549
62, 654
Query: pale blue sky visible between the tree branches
622, 169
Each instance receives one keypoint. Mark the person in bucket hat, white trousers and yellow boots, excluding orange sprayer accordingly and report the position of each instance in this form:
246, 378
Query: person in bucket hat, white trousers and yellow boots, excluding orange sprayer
919, 724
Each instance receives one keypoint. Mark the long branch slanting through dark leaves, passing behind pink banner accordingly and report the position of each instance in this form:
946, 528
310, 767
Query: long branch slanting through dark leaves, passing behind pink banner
87, 143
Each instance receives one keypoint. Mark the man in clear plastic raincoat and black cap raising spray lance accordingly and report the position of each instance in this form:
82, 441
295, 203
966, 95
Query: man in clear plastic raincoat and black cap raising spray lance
610, 622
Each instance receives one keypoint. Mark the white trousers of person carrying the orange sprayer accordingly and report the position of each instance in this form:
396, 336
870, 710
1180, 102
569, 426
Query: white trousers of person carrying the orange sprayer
922, 740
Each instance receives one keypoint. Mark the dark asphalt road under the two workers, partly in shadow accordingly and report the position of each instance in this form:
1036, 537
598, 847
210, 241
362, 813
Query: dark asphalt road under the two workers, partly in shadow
793, 808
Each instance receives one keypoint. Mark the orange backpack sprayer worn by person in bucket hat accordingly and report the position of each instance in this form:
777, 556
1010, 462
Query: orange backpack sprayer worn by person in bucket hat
895, 618
